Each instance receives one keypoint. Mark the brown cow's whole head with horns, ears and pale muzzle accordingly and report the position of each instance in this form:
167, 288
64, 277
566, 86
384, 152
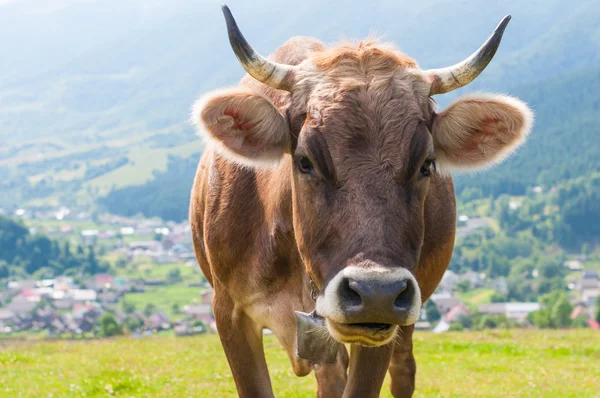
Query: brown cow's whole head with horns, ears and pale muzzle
366, 144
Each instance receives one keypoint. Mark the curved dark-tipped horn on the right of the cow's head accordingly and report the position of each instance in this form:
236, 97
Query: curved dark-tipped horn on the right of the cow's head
456, 76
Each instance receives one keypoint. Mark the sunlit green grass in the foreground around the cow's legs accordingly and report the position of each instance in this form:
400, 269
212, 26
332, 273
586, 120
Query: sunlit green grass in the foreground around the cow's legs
486, 364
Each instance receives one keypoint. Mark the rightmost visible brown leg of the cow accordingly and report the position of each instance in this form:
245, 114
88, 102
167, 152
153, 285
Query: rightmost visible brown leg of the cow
403, 366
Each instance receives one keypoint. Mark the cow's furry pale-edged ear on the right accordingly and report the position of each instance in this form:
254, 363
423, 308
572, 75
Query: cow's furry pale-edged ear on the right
480, 130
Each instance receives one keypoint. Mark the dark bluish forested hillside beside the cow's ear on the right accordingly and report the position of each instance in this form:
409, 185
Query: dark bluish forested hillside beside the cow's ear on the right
565, 141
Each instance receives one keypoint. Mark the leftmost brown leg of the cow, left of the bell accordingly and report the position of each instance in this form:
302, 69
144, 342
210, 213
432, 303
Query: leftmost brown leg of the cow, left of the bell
242, 342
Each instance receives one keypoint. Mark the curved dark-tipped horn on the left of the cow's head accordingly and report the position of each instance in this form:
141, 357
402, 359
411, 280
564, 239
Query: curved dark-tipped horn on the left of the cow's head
271, 73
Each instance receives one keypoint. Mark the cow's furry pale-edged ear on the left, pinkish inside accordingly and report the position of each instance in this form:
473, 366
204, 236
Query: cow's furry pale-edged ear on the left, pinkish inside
246, 126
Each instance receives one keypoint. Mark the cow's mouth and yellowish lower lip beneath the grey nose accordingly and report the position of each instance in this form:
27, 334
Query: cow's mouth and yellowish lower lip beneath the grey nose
368, 334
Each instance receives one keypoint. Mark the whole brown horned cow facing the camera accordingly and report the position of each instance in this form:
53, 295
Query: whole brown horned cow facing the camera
329, 165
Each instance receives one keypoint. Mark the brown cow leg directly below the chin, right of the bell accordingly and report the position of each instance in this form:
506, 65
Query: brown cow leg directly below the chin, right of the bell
367, 370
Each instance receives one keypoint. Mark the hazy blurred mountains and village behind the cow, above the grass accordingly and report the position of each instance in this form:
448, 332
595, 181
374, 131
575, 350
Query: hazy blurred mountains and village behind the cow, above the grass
97, 157
